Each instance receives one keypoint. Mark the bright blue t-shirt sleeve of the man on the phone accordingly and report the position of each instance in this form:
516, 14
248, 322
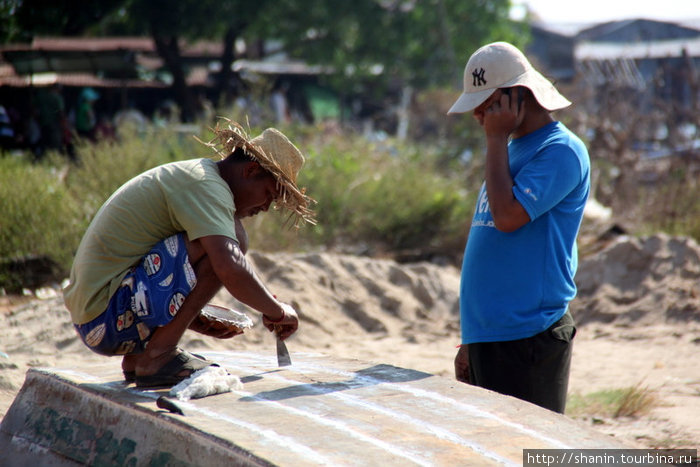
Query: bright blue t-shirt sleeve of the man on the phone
543, 182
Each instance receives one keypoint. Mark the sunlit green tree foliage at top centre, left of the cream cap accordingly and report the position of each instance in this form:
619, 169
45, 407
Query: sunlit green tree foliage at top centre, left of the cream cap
421, 43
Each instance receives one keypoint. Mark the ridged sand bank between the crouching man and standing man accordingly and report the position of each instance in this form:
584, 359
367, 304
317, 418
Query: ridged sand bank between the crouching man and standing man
340, 297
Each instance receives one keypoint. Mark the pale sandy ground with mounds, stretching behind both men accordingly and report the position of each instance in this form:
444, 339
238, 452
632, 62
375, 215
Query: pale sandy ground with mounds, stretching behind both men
638, 314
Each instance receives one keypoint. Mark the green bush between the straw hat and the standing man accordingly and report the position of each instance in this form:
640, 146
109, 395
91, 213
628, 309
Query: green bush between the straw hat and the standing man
374, 198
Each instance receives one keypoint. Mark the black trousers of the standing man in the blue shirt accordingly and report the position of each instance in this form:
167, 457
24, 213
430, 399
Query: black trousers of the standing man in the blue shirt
535, 369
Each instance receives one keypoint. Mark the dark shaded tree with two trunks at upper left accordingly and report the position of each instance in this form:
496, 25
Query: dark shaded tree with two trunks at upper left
166, 22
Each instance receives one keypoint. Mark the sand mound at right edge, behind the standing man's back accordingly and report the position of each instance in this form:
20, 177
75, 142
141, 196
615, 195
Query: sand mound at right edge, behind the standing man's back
640, 282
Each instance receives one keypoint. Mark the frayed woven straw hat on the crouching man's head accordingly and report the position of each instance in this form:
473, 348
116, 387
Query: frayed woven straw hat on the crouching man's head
276, 154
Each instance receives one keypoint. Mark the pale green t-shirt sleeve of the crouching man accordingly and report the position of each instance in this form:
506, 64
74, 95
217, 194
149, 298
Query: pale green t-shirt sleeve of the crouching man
204, 208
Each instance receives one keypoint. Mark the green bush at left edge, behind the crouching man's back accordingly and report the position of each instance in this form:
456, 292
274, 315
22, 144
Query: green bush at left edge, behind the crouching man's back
46, 207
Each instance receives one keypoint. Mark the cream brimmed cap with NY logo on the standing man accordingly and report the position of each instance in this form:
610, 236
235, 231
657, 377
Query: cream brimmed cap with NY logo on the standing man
502, 65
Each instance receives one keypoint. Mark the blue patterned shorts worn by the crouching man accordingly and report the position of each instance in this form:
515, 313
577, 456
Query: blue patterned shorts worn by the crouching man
149, 296
